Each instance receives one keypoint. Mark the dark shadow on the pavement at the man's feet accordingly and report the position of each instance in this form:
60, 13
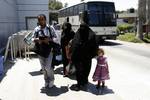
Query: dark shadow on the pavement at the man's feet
55, 91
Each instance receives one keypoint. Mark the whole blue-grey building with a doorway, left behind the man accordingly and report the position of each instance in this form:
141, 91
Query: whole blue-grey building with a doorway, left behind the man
19, 15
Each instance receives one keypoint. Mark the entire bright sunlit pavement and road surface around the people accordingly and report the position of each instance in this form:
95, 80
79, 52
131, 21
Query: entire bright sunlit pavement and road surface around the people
129, 71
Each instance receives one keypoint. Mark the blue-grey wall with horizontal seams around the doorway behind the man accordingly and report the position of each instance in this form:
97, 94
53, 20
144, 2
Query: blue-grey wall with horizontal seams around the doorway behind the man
30, 9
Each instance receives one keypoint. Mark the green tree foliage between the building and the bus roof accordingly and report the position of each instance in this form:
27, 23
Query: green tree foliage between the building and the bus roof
55, 5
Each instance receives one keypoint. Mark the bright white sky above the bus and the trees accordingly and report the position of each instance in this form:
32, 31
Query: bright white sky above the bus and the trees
119, 4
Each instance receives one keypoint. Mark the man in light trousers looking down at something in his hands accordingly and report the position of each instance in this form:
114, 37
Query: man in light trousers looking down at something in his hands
43, 38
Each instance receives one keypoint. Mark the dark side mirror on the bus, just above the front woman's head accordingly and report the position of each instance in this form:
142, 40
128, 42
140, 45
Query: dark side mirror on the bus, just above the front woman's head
83, 17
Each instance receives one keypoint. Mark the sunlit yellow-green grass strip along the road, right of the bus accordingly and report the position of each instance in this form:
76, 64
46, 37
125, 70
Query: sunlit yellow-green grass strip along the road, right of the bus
129, 37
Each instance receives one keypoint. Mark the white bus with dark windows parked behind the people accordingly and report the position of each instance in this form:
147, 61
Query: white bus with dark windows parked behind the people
99, 15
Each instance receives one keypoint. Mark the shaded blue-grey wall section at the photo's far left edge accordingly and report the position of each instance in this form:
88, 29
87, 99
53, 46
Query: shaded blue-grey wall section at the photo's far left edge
8, 20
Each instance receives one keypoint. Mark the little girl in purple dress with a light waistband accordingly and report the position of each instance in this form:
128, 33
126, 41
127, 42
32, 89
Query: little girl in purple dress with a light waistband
101, 72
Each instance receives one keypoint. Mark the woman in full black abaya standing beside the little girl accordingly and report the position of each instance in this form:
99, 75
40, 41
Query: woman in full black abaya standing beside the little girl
84, 48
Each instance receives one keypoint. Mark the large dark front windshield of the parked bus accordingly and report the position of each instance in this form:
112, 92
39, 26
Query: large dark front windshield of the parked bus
101, 14
